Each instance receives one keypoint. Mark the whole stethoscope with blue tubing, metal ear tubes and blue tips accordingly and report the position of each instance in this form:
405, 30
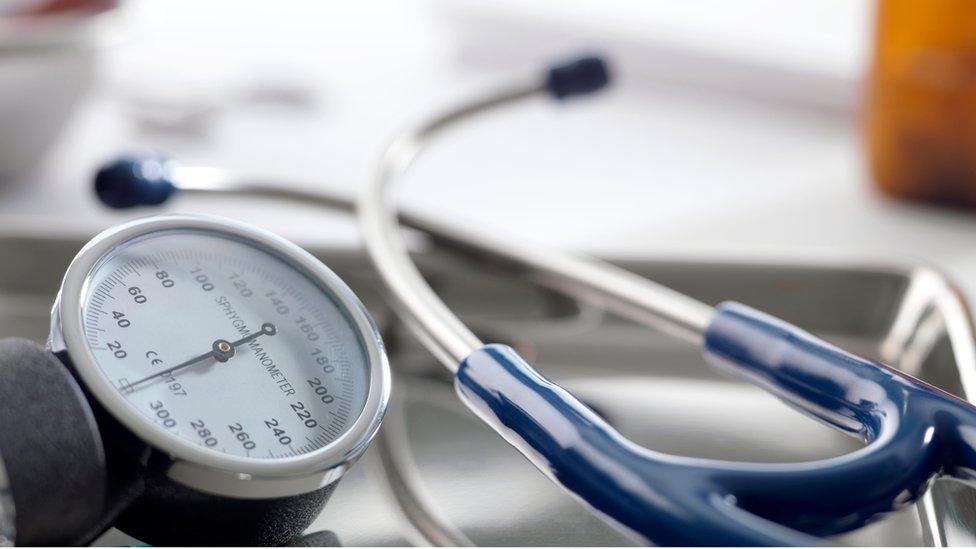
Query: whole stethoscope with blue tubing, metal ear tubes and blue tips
913, 431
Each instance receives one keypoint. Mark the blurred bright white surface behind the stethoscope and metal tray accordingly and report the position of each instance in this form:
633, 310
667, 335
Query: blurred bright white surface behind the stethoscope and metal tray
732, 129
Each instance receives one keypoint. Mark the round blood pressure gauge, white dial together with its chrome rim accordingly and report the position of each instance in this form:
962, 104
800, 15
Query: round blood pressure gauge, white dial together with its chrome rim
250, 366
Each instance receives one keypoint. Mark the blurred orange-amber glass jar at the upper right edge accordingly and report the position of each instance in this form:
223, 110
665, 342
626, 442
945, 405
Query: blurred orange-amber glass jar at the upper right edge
920, 105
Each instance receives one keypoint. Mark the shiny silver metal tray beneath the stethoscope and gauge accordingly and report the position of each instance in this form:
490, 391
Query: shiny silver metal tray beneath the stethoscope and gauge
436, 464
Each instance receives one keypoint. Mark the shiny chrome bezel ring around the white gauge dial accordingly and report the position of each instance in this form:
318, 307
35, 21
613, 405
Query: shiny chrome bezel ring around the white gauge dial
192, 465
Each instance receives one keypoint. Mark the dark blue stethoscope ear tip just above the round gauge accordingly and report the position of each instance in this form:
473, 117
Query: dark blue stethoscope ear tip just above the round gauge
135, 181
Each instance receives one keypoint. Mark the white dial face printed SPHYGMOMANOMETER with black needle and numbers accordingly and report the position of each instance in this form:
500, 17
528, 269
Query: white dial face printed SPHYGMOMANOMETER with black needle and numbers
220, 343
